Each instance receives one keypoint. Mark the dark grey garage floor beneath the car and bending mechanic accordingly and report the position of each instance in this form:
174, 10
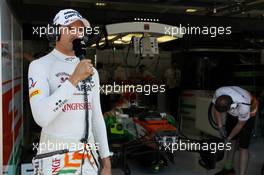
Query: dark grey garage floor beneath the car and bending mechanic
186, 163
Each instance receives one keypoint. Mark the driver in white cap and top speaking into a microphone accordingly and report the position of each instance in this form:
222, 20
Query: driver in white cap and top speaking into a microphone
56, 93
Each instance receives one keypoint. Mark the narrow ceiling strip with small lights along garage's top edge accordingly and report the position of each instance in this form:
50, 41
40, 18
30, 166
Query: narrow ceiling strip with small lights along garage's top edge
229, 8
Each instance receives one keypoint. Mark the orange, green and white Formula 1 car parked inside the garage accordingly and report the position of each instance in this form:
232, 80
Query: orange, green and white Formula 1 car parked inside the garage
143, 135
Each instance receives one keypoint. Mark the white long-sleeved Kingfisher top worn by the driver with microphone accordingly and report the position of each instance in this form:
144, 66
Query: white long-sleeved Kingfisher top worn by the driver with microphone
58, 107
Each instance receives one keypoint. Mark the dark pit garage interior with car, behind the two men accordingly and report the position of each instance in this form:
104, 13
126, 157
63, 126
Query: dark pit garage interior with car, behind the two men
138, 46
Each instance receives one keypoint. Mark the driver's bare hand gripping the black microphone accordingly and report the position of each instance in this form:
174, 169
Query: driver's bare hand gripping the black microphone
83, 70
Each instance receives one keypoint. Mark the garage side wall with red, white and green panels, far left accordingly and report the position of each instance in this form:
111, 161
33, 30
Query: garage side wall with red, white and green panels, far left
11, 89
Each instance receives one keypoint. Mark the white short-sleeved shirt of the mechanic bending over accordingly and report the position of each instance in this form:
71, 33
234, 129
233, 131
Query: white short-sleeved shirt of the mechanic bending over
238, 96
